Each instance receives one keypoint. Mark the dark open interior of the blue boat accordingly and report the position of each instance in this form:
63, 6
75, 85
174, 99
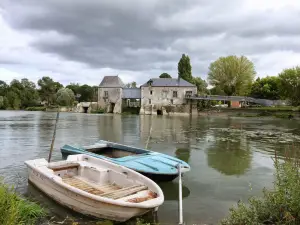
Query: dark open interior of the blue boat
113, 152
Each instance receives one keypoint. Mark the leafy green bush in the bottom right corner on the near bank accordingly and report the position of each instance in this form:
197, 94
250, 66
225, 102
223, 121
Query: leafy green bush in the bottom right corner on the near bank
277, 206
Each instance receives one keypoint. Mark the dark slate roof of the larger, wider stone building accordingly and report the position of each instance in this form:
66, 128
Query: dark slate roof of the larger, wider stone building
168, 82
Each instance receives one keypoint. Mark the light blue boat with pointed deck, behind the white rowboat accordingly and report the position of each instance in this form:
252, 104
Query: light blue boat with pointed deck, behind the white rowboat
155, 165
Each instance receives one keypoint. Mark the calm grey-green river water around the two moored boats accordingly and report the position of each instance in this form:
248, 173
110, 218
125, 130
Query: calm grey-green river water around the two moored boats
230, 158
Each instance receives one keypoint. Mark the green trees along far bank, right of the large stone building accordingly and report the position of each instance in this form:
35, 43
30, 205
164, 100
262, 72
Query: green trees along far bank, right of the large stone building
234, 76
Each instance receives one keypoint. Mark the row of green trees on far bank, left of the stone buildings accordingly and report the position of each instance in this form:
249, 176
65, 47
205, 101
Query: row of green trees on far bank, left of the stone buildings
22, 94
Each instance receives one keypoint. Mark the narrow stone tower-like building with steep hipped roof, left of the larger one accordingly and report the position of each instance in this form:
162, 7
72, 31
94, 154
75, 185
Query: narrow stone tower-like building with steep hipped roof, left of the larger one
110, 94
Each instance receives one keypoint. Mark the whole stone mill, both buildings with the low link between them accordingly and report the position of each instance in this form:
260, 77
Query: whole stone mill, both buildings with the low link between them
157, 96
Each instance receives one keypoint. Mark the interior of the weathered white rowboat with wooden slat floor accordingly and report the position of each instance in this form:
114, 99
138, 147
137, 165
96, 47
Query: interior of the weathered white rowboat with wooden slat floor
103, 182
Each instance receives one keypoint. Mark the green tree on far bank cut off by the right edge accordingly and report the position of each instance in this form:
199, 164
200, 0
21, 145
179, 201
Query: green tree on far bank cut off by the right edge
289, 85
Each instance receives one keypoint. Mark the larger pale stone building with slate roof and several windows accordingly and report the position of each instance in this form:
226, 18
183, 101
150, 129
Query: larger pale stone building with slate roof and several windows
166, 96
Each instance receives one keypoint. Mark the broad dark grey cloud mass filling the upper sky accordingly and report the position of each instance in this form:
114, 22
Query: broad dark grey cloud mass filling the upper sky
139, 35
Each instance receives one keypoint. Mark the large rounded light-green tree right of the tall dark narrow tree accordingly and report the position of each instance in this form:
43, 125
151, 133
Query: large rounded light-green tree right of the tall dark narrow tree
232, 74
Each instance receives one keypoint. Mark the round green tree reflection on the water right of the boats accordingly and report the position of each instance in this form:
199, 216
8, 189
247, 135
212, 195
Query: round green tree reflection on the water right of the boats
230, 158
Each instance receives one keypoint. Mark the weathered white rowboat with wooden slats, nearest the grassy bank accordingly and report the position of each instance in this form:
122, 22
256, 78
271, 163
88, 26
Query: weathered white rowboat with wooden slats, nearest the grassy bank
96, 187
